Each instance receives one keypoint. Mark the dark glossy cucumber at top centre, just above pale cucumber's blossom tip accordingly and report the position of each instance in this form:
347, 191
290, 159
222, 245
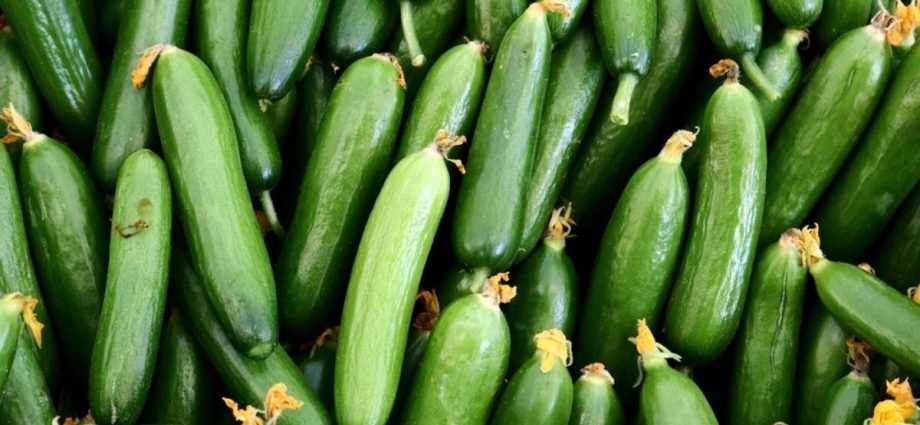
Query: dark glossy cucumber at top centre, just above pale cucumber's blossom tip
491, 203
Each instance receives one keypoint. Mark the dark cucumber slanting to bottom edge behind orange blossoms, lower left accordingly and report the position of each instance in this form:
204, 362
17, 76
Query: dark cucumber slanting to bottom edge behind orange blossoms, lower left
247, 378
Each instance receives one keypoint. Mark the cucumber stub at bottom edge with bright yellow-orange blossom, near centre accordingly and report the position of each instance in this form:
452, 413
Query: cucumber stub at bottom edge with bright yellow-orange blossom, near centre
541, 390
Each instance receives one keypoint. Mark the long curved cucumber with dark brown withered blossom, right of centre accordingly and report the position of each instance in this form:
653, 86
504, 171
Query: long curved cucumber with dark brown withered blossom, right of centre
709, 292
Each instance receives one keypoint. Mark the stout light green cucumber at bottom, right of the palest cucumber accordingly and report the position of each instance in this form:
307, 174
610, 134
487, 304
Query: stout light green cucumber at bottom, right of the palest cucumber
464, 365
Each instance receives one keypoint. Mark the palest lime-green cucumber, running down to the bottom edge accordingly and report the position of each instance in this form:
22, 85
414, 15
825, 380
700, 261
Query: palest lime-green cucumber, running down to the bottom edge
387, 270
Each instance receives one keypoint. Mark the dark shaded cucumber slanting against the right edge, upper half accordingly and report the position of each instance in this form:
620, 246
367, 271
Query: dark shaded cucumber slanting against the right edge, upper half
861, 200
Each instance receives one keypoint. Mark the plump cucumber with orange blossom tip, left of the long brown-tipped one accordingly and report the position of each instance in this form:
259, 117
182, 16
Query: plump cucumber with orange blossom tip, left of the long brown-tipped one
641, 245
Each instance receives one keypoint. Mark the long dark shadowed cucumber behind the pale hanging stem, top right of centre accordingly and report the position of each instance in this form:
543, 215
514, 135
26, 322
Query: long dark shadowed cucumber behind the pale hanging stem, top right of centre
611, 152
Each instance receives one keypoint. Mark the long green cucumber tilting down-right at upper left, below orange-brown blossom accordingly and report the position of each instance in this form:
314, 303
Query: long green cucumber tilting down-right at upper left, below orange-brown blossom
201, 153
